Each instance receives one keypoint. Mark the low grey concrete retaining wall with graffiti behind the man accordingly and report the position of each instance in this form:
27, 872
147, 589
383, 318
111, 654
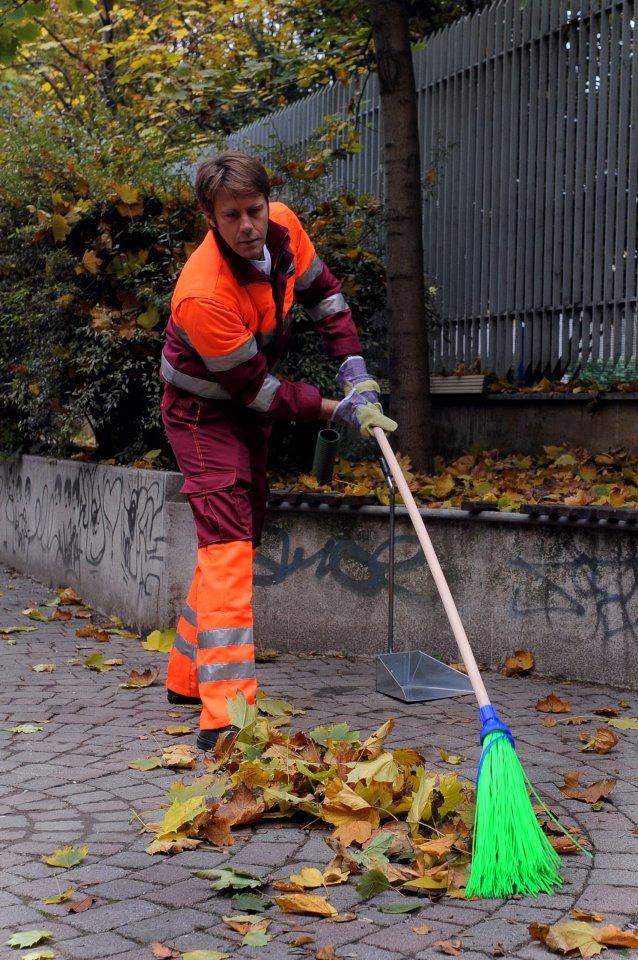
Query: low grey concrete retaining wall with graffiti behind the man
124, 540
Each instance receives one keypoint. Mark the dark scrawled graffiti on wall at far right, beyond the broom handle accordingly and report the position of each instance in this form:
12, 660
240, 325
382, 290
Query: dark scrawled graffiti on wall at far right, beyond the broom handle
601, 592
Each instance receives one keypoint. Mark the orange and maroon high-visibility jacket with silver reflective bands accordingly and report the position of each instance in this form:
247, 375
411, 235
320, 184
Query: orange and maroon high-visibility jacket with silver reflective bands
231, 323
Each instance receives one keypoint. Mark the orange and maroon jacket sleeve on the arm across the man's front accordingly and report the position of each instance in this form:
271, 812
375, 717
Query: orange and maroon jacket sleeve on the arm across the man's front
229, 351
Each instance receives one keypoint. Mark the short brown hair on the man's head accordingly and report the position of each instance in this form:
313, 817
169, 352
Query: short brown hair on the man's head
233, 171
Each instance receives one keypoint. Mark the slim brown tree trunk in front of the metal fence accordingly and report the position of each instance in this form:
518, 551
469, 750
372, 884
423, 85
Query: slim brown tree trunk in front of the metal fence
408, 338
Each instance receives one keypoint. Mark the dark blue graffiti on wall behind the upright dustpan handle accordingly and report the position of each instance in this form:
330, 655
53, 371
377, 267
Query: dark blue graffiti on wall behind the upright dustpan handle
352, 566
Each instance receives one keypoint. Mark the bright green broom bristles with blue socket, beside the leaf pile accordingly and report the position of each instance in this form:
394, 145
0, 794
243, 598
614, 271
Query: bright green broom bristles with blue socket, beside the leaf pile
510, 852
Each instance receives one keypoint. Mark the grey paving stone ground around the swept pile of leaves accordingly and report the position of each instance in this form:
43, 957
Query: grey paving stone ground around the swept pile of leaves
70, 784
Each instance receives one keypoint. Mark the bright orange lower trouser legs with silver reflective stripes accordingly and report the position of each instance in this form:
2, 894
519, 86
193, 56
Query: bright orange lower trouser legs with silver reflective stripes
216, 659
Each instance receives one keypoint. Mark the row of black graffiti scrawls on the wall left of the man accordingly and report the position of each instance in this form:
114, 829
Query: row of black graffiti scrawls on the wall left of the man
86, 520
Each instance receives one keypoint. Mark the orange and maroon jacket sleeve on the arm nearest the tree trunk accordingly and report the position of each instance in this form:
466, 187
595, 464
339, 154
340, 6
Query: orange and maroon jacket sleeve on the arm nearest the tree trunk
319, 293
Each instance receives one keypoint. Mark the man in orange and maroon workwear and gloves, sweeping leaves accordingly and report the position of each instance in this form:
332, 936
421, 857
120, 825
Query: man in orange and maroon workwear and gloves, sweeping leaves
230, 324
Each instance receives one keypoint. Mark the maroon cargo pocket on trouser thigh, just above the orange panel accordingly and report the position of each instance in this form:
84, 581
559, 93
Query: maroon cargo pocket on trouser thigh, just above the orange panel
220, 505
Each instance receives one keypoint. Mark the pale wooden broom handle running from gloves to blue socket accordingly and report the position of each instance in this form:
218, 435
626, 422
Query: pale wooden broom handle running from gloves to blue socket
435, 568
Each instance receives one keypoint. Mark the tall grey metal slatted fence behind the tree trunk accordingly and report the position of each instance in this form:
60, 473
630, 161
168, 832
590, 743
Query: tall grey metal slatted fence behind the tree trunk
529, 142
